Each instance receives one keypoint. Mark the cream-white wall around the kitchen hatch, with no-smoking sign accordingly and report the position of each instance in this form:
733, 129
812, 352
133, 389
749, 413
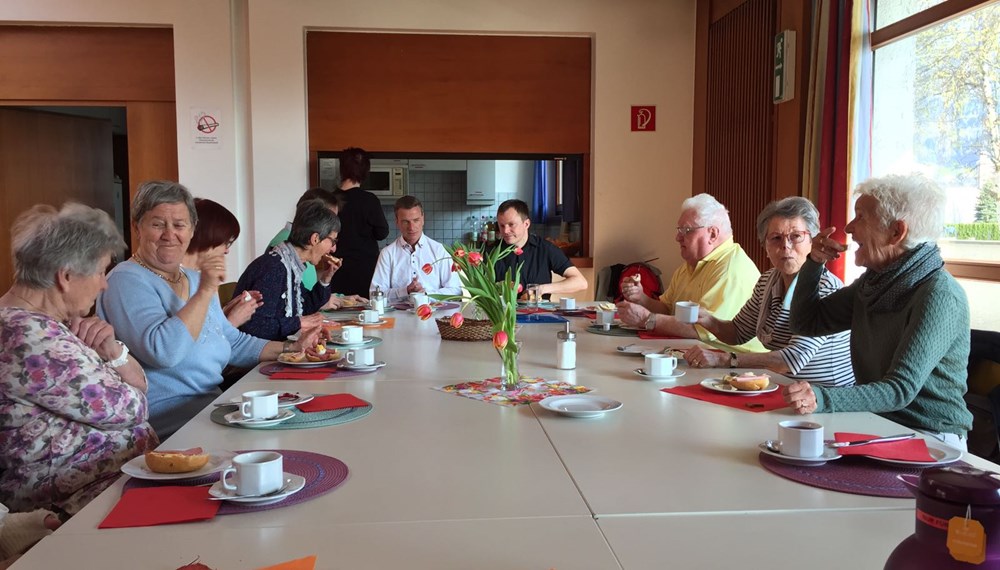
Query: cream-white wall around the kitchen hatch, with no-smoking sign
643, 54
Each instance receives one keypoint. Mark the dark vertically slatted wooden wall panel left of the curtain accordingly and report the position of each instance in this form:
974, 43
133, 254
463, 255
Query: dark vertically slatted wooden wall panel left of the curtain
739, 146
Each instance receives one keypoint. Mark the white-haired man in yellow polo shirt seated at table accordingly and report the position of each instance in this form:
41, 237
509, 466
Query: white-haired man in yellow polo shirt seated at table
717, 274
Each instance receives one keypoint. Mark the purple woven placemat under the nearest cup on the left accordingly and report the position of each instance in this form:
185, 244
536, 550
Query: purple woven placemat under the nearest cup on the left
321, 472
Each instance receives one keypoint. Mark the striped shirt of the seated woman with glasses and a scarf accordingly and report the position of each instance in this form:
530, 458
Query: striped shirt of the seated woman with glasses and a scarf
822, 360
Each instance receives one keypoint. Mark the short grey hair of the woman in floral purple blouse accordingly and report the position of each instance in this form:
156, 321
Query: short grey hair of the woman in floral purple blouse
45, 241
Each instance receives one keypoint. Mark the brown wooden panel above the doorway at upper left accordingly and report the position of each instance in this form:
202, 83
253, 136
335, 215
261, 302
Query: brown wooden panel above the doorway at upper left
43, 63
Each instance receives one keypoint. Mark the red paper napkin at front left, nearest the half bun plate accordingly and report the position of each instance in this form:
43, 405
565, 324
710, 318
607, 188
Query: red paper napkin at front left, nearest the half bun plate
150, 506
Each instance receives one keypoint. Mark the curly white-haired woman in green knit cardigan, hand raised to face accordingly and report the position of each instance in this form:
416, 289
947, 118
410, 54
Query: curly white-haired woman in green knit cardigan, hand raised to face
909, 319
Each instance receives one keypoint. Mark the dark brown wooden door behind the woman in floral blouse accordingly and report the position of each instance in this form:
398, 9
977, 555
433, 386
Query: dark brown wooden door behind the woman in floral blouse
46, 158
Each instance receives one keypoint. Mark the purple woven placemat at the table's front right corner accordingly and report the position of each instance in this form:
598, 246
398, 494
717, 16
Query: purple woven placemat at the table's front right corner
849, 474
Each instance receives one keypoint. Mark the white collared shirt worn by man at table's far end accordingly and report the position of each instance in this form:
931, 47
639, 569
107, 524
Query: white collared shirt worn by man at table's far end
399, 263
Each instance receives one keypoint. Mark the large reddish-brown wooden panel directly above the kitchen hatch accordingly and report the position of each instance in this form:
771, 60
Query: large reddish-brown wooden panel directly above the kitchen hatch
448, 93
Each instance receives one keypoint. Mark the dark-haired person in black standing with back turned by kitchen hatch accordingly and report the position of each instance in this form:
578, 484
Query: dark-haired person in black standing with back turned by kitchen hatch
363, 224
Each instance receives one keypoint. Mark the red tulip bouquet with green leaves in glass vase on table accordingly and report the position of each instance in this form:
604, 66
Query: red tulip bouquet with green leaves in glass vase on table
497, 299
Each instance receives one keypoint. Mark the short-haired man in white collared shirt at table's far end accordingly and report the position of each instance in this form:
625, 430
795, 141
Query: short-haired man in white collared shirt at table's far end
400, 264
